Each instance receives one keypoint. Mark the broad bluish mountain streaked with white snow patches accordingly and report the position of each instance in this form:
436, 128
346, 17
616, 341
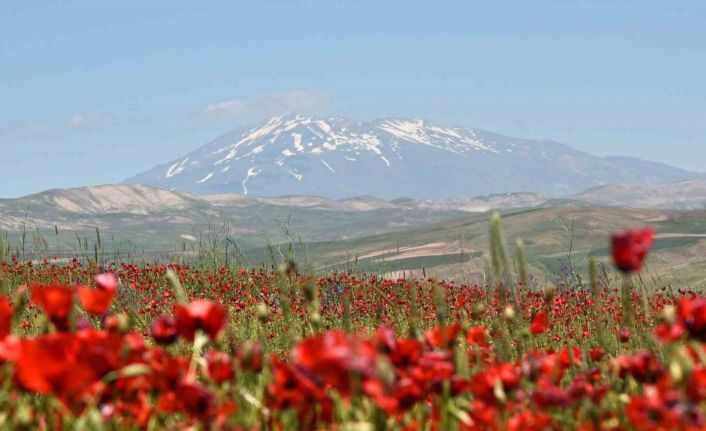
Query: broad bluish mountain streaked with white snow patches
391, 158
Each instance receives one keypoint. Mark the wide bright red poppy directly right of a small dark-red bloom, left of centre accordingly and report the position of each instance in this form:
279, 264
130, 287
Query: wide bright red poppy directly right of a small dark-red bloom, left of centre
201, 314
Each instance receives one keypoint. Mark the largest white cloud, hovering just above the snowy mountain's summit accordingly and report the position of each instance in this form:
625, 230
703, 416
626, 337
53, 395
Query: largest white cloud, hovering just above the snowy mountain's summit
268, 105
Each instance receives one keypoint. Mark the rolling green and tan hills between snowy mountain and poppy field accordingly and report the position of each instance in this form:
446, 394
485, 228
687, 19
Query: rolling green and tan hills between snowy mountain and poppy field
448, 236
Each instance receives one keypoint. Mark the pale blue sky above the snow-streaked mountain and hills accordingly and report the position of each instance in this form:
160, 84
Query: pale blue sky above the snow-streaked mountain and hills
93, 92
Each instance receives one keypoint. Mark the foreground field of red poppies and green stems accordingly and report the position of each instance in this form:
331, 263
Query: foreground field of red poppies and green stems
175, 345
